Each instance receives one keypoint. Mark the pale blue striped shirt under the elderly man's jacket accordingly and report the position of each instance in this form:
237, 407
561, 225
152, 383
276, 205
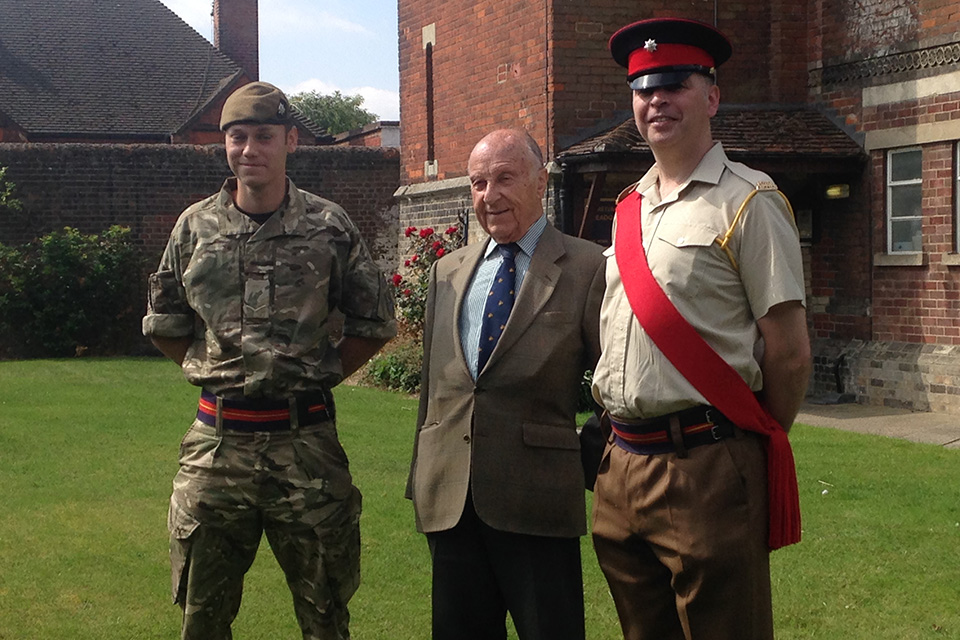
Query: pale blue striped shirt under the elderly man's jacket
472, 312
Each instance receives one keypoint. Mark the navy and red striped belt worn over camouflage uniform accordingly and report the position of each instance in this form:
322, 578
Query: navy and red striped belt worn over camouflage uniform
266, 415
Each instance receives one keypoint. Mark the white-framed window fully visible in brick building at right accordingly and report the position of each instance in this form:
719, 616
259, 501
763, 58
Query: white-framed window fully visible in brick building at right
904, 204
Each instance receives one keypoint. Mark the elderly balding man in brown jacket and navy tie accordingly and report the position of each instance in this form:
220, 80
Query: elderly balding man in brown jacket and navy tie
496, 480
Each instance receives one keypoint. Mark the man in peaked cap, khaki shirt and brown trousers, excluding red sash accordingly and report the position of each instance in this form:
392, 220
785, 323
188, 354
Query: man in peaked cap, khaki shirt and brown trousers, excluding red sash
680, 529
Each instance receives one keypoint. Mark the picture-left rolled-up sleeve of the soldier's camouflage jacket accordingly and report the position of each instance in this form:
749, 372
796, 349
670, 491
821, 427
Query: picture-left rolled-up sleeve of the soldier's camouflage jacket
168, 313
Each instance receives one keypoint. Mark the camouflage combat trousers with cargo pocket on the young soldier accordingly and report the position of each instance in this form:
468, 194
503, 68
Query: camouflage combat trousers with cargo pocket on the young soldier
293, 485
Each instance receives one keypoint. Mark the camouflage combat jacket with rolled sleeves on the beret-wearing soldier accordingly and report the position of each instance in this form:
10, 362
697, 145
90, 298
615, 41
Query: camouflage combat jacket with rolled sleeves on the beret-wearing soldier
257, 299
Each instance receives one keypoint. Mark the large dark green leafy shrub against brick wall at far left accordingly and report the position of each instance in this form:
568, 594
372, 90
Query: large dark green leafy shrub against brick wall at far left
67, 292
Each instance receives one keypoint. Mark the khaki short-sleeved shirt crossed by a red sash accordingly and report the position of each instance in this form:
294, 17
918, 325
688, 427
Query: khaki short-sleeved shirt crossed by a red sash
633, 378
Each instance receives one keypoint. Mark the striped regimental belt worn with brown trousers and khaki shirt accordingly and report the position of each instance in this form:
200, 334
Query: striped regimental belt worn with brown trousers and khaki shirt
698, 426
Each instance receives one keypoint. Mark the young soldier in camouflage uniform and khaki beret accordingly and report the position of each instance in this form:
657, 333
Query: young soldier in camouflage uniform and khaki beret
241, 300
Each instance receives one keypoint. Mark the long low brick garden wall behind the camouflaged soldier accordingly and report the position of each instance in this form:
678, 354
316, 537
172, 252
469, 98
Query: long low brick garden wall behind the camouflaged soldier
145, 187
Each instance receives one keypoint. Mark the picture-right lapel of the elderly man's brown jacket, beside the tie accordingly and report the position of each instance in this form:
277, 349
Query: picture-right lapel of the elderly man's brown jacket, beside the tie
538, 285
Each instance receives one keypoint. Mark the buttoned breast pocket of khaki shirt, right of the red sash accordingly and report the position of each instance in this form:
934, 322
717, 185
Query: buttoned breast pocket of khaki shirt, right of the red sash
683, 257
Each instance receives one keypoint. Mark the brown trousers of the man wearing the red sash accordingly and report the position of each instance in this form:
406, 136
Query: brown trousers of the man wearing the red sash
683, 541
